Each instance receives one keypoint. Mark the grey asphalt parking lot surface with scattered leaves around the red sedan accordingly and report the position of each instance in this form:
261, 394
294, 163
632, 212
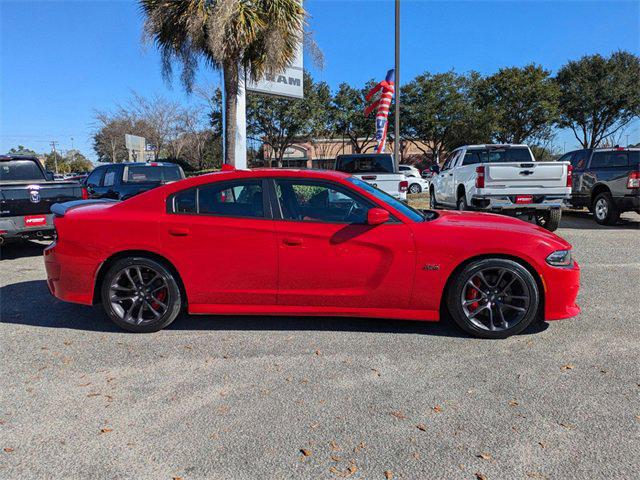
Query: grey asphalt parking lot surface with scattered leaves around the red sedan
253, 397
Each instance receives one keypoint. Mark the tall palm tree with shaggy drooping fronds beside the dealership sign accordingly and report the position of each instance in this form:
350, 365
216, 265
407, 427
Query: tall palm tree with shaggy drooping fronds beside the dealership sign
235, 36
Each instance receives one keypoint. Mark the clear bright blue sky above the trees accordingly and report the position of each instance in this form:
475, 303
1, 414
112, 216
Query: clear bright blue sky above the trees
62, 61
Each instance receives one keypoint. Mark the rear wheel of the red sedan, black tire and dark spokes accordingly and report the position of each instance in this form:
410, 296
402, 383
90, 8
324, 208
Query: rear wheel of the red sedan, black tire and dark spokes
129, 291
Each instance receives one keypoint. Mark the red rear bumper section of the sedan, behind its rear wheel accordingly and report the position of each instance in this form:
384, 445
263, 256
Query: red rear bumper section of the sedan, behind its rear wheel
69, 277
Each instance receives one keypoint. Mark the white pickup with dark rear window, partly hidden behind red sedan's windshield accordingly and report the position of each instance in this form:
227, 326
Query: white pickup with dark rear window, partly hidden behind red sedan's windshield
378, 169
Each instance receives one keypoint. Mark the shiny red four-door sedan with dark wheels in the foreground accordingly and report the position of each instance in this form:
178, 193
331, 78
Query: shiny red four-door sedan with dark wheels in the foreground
278, 242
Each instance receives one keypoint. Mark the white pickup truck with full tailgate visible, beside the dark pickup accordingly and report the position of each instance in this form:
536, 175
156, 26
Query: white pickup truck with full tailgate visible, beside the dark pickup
502, 178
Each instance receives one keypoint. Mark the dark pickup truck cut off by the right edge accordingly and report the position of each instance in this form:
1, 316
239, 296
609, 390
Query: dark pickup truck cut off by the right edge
606, 181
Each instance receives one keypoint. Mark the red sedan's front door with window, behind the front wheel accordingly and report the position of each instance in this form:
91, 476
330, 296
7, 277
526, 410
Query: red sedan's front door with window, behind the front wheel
329, 256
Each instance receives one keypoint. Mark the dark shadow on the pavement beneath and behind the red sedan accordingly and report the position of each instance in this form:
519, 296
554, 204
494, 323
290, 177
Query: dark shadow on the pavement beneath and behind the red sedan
30, 303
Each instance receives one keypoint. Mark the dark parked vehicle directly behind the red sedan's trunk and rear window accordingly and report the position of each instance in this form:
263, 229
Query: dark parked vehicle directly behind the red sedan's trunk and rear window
120, 181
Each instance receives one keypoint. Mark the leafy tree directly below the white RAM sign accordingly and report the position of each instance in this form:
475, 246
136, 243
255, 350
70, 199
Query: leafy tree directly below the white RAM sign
279, 122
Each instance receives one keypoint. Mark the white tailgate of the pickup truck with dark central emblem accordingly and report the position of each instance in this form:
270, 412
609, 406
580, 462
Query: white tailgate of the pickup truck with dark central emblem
528, 175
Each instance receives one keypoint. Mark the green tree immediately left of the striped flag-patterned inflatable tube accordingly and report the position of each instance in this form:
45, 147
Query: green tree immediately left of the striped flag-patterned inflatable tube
350, 121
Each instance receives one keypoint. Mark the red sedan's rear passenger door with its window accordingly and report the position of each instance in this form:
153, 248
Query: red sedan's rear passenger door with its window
223, 243
